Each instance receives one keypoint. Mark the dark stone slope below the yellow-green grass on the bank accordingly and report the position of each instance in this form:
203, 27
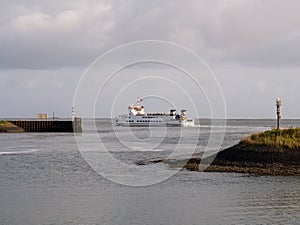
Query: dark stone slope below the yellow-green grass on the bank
254, 160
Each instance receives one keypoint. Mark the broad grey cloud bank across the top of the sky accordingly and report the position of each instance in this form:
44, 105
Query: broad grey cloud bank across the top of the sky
41, 34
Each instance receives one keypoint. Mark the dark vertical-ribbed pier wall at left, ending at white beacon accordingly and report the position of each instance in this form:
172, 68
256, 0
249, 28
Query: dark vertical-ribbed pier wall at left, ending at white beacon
49, 125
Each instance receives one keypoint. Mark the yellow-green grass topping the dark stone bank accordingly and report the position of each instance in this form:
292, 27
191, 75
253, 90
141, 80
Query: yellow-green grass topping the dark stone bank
284, 138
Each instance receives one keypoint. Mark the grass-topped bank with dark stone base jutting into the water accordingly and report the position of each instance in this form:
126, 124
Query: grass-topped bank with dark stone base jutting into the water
274, 152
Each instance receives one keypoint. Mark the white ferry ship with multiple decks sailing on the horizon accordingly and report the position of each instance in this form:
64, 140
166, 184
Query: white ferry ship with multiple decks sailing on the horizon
138, 117
